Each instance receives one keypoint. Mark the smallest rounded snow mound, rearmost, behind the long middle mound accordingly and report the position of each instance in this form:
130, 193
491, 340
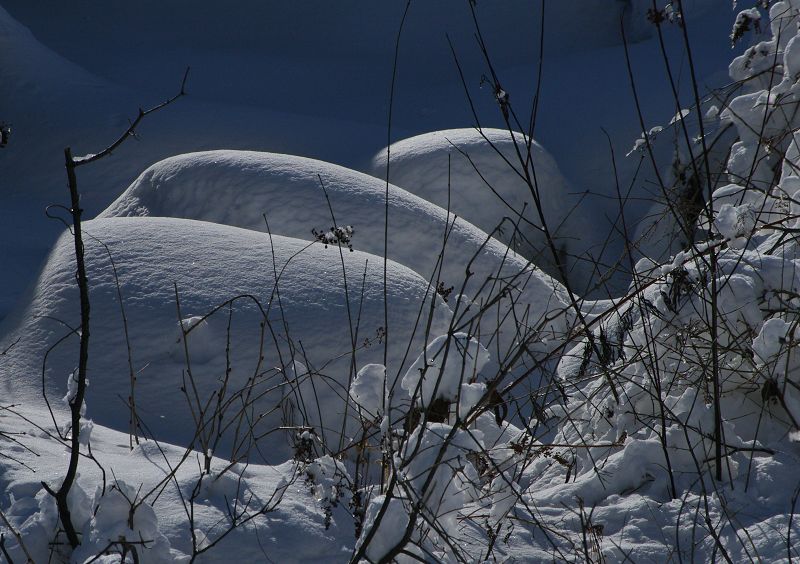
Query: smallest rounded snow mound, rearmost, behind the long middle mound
478, 174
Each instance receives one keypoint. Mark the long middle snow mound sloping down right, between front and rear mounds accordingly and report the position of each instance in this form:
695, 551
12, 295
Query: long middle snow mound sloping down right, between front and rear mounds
242, 187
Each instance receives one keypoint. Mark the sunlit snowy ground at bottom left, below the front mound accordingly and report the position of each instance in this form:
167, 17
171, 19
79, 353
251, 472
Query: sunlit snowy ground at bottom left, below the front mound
297, 516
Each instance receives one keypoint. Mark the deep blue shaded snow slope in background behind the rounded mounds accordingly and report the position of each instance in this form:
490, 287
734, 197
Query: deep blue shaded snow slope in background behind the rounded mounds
267, 88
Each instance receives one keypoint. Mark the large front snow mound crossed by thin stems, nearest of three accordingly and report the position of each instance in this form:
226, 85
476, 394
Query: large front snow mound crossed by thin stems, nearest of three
306, 314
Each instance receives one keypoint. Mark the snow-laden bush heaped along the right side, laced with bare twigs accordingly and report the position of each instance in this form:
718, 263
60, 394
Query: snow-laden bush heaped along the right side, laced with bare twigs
683, 393
